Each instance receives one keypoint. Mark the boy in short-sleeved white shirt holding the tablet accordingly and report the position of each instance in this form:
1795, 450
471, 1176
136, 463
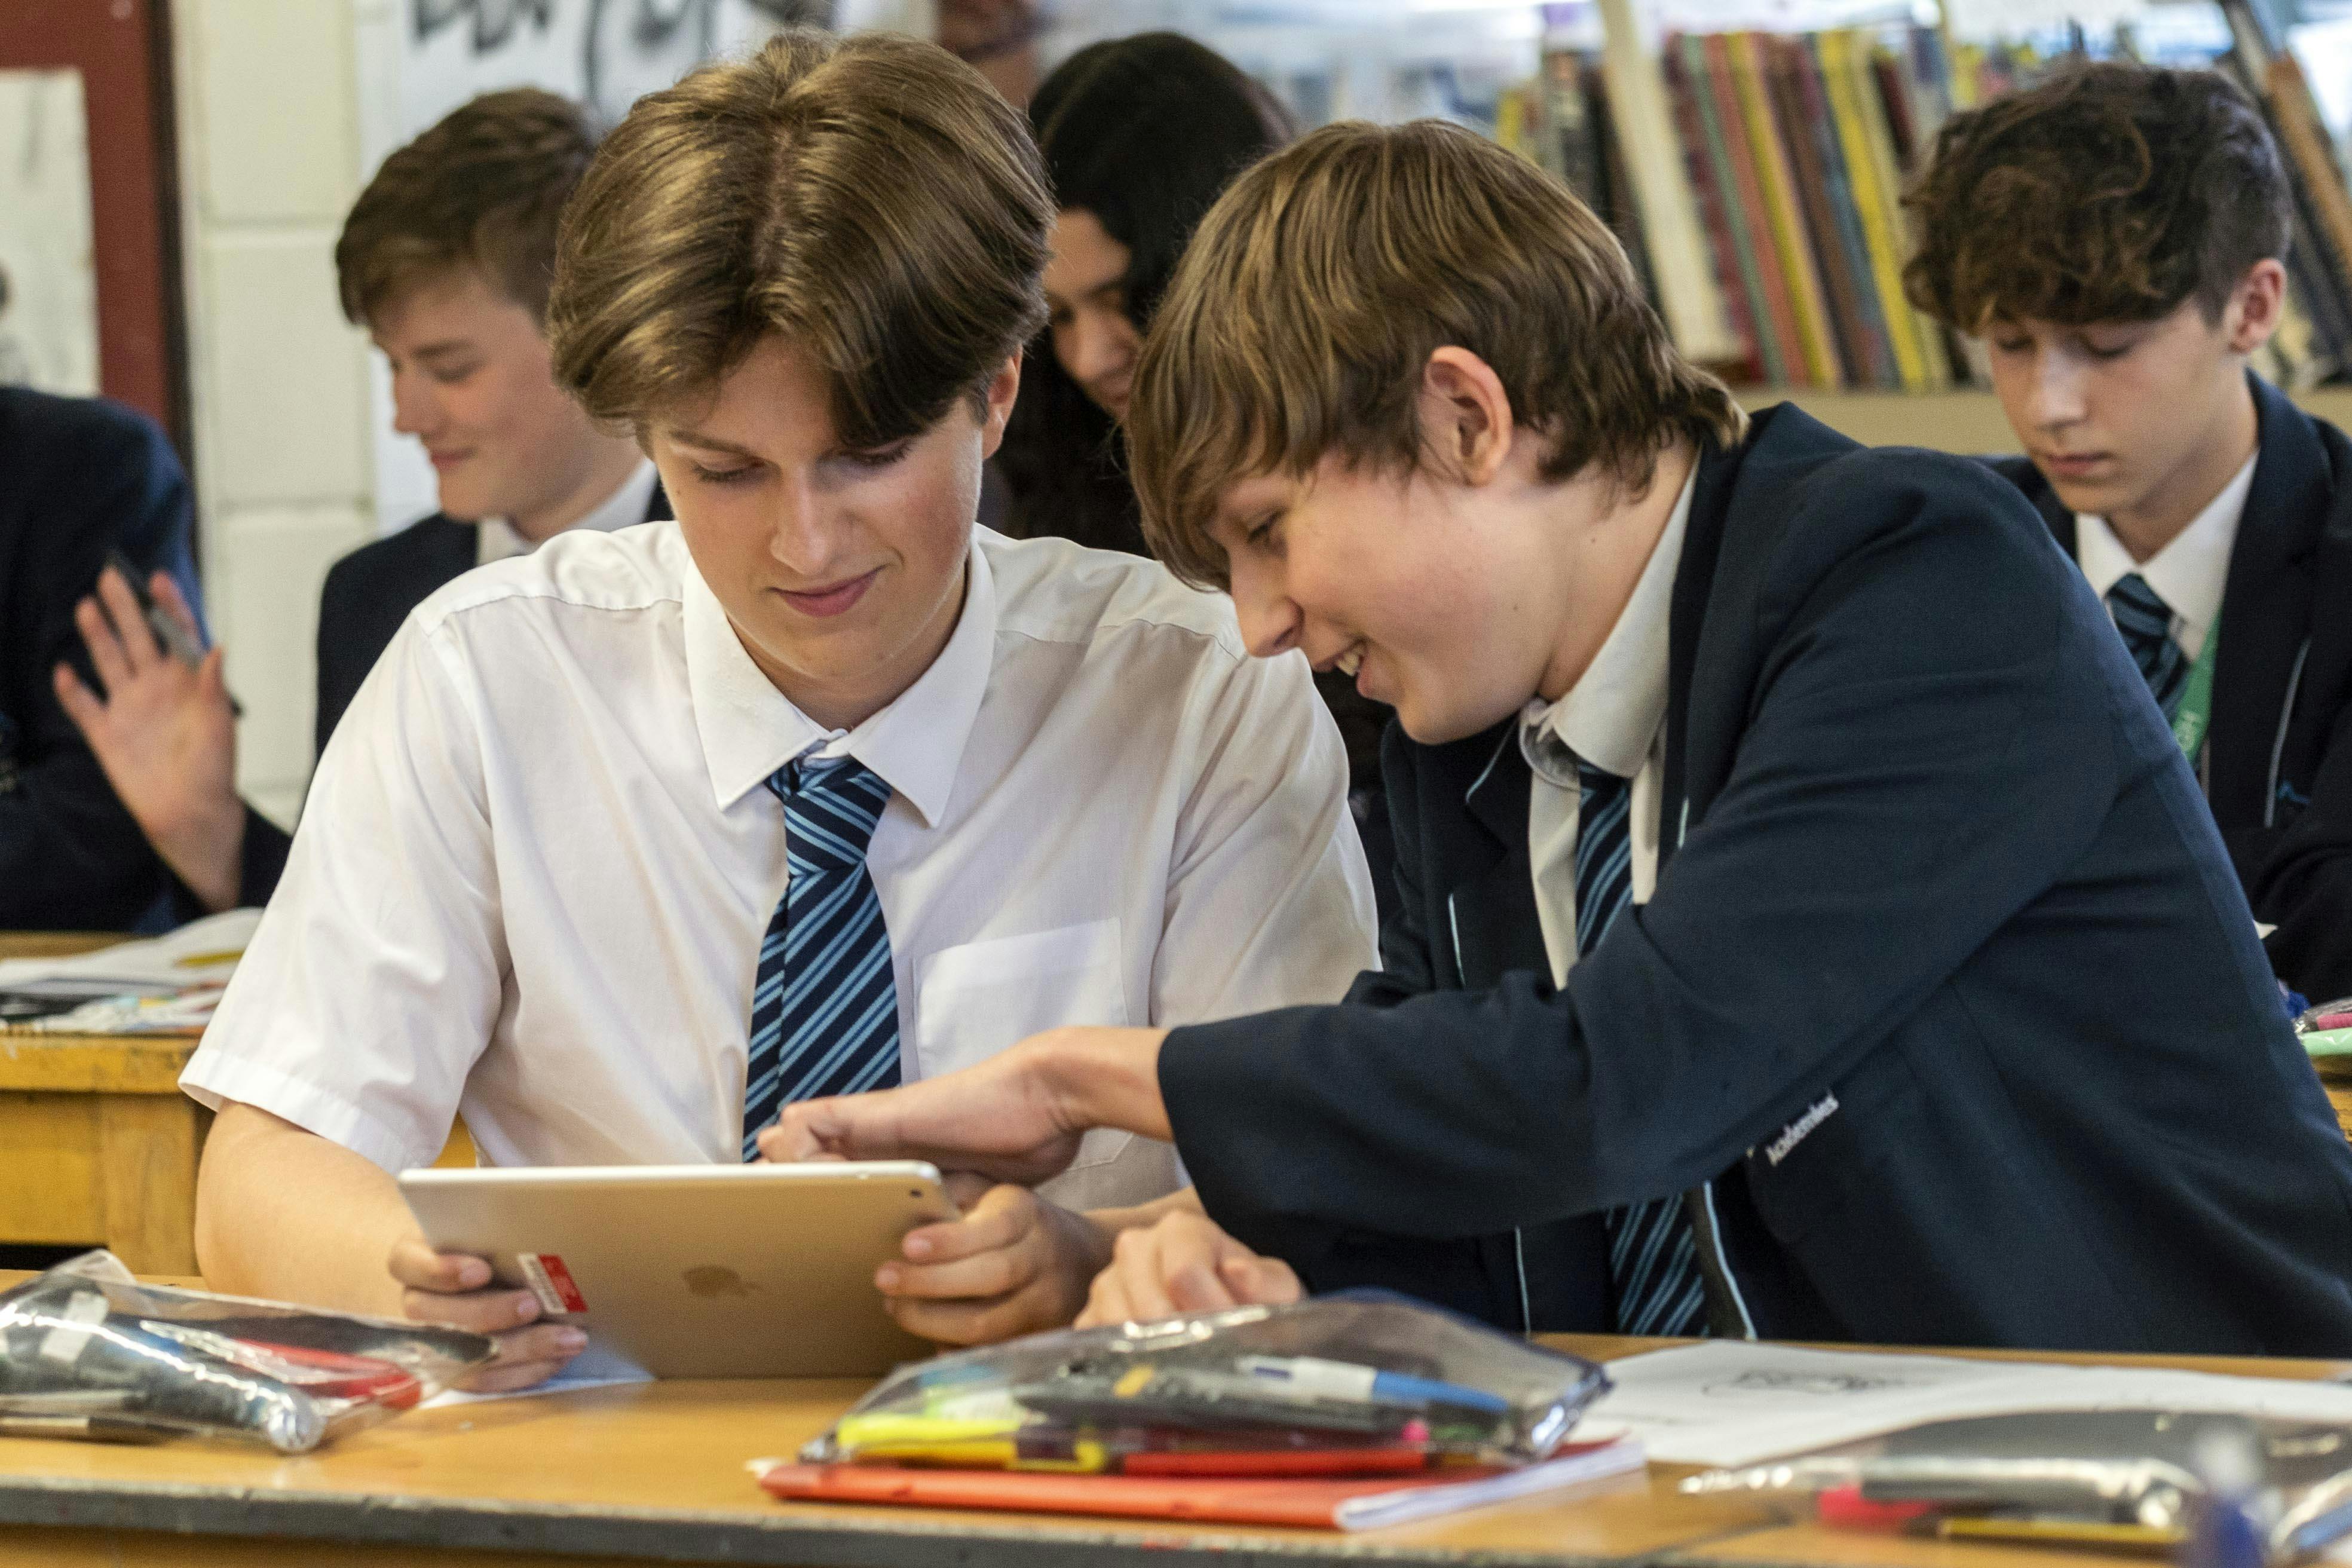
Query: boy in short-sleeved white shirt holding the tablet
544, 869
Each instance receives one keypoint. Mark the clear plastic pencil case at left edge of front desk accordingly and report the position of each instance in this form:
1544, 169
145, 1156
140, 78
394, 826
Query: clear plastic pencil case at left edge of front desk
86, 1351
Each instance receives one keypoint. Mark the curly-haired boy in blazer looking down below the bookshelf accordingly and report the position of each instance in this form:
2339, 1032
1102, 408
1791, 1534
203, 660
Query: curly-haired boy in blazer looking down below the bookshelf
2116, 236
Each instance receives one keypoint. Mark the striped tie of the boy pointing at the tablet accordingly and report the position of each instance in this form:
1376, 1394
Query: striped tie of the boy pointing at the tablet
1652, 1252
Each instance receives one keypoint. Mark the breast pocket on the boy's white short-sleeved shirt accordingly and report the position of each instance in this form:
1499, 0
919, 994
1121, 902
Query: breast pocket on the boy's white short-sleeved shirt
982, 998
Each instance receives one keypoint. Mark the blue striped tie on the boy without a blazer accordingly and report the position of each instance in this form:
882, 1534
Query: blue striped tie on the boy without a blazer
824, 1010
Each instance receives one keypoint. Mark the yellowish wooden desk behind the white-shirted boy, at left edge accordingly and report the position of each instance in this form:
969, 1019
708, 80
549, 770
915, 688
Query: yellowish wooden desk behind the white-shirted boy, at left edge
98, 1146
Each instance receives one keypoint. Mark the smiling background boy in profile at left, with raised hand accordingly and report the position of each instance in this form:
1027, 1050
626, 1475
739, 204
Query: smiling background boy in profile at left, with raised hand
446, 260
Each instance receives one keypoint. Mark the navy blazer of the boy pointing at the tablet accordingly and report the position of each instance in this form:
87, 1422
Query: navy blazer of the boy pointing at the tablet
1949, 1010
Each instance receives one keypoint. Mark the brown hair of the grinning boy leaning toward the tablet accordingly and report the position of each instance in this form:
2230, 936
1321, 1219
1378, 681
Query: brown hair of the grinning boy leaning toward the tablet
1321, 283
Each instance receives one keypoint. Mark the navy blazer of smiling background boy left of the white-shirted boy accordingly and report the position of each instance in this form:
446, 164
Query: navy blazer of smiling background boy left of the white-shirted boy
359, 612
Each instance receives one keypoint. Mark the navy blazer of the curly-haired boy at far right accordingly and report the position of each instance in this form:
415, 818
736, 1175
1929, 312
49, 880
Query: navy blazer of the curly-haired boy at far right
2280, 749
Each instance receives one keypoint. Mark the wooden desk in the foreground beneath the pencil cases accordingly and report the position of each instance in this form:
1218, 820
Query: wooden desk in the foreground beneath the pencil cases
655, 1473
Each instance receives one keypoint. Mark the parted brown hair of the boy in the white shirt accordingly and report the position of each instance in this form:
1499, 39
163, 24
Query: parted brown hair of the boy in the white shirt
871, 199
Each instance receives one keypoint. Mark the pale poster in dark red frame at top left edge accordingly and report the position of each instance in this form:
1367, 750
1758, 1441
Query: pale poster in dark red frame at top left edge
48, 276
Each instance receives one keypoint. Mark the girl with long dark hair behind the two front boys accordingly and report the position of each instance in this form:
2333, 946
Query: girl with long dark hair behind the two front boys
1140, 138
